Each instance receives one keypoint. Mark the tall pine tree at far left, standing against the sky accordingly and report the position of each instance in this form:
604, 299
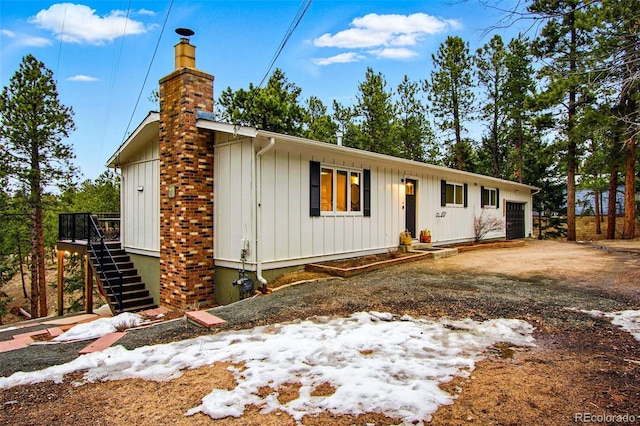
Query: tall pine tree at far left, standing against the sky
34, 123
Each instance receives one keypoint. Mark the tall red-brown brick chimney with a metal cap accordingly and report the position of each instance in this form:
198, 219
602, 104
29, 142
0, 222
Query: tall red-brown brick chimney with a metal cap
186, 184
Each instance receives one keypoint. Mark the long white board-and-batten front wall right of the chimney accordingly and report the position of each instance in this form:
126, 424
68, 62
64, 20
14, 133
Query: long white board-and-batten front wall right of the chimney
288, 233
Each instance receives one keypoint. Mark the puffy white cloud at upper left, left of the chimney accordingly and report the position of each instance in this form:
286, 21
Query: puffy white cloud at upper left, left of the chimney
76, 23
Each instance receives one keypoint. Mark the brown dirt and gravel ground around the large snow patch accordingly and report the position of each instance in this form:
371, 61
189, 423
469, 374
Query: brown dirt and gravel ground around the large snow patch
580, 365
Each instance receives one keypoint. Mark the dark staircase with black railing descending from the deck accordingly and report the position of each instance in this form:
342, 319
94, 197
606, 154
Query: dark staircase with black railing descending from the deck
134, 293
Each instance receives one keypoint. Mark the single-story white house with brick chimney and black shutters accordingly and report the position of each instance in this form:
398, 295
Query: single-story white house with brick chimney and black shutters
201, 199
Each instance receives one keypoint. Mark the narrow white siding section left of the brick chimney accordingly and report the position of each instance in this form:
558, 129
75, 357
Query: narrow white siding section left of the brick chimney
140, 203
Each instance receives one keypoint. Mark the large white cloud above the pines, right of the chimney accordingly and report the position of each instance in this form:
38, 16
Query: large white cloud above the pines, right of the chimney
386, 30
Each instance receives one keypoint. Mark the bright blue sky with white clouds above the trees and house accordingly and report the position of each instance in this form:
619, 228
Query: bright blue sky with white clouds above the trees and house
101, 51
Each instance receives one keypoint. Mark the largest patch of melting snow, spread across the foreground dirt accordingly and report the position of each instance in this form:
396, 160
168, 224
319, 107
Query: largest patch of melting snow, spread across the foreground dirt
376, 362
